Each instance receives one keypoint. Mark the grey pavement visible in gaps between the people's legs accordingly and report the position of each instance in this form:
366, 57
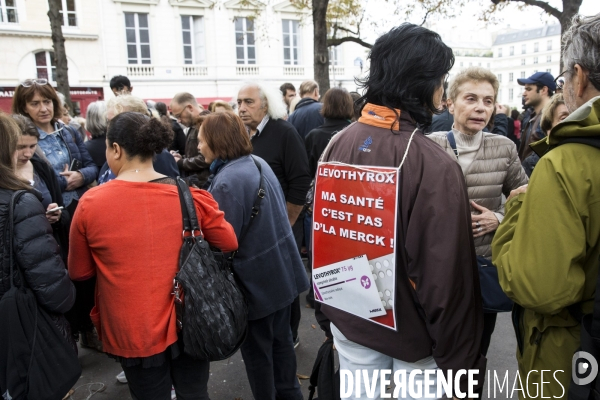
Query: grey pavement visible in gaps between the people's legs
228, 378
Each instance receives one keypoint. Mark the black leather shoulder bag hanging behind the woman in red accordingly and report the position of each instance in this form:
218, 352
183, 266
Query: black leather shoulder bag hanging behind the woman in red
212, 313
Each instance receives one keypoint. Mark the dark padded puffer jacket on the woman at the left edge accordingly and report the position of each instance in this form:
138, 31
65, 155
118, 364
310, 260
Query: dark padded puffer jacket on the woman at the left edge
36, 253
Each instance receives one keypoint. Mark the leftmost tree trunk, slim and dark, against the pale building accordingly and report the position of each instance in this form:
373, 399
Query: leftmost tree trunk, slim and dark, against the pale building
60, 55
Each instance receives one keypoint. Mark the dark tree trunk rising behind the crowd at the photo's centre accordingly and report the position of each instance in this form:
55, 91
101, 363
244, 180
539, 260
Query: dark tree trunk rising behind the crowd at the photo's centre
321, 52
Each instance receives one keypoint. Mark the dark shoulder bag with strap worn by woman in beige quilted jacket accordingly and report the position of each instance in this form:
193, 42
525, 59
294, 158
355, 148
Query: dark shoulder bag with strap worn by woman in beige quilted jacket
494, 298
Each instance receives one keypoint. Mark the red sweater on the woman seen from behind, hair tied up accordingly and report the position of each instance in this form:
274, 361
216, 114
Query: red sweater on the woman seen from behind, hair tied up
128, 234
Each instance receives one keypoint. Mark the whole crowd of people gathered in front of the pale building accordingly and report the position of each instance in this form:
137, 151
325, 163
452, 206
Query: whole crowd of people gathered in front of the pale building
97, 234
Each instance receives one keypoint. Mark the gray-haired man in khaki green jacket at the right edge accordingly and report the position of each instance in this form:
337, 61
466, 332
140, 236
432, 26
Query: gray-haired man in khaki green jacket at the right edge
547, 248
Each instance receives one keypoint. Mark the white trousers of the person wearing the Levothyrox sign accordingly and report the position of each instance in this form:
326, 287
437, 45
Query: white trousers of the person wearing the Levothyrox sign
354, 357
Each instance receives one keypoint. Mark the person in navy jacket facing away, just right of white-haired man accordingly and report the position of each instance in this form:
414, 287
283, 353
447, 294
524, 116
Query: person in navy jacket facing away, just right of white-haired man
307, 114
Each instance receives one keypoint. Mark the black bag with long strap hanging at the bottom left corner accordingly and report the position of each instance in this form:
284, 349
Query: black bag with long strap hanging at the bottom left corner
36, 361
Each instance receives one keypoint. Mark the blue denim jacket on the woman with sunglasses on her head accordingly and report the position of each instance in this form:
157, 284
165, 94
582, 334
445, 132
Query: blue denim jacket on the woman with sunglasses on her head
60, 148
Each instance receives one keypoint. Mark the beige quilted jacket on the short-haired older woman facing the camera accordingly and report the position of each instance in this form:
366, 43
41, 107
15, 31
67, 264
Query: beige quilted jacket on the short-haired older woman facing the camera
496, 170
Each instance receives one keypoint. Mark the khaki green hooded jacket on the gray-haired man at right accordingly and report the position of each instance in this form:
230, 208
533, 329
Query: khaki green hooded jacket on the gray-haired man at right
547, 251
